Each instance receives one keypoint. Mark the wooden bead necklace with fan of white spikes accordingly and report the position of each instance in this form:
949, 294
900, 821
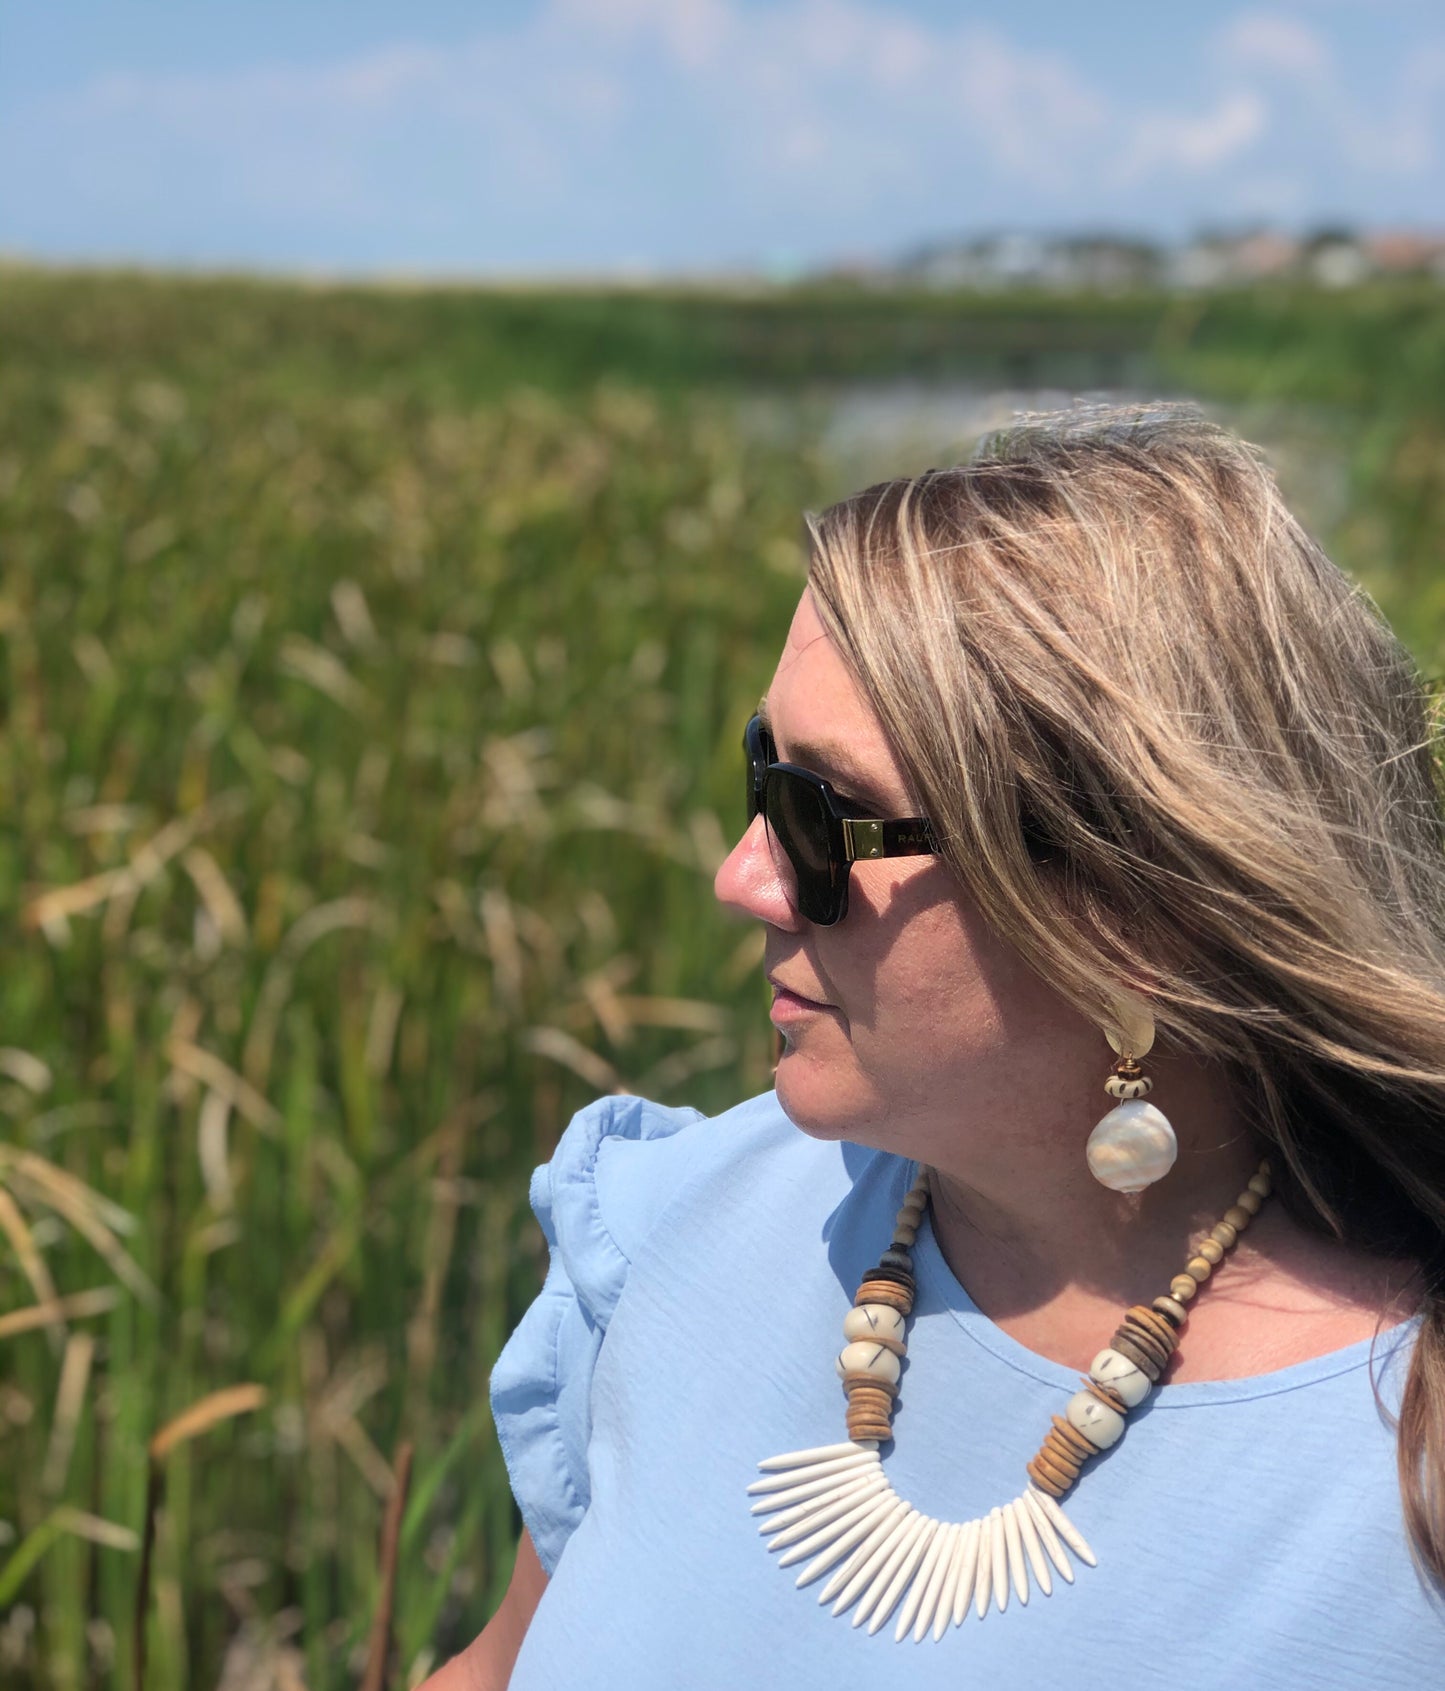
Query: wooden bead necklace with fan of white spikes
839, 1508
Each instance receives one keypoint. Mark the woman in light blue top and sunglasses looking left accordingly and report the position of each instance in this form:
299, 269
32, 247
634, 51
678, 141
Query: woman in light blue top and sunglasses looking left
1159, 811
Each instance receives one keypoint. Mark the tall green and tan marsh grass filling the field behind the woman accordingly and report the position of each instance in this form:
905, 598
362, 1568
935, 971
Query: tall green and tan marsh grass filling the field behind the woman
373, 674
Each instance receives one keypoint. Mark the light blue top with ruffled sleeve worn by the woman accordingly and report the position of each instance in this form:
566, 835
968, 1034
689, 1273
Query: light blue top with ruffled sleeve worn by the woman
1248, 1531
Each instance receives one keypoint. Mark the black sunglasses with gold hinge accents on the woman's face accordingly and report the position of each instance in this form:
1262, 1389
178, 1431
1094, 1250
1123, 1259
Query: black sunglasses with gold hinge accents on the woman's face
819, 835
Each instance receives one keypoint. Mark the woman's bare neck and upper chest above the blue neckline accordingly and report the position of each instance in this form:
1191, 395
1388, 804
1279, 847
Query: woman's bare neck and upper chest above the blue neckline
1054, 1257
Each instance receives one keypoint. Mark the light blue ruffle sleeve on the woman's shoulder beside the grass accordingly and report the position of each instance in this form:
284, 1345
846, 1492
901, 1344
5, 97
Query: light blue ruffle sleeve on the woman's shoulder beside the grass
594, 1201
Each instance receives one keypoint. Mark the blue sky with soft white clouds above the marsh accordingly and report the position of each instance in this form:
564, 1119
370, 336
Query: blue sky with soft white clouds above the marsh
636, 136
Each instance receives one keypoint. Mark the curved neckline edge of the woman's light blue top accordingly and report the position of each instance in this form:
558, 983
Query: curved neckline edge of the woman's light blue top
932, 1267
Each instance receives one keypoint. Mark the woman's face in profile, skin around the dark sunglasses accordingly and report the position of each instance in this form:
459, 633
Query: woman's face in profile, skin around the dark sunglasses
908, 1017
